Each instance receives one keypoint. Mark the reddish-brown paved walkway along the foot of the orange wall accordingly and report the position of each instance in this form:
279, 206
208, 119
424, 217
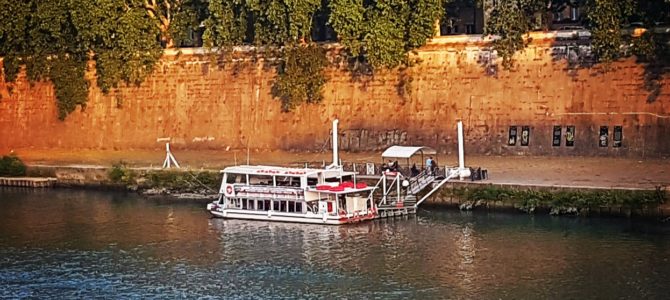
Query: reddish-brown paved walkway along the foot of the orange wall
527, 170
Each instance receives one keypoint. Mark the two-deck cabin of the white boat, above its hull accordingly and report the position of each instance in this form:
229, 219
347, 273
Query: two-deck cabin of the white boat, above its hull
290, 191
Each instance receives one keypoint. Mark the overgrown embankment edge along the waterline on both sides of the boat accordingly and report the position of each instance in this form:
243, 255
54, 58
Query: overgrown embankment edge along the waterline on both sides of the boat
465, 195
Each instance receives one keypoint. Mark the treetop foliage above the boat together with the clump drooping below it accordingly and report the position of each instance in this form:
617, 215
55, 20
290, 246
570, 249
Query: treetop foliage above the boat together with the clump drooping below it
276, 24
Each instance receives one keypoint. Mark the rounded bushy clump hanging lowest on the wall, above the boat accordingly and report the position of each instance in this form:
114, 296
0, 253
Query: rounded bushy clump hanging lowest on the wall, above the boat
300, 76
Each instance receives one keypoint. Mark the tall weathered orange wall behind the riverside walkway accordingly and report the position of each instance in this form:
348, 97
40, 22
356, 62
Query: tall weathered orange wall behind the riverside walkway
196, 104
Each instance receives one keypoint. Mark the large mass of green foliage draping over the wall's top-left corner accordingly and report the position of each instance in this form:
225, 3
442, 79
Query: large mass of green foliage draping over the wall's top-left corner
54, 40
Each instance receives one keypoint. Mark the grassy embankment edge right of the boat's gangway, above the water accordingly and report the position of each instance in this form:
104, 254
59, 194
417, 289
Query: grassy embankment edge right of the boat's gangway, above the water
554, 199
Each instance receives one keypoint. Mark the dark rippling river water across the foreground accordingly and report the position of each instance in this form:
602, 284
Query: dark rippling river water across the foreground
88, 244
